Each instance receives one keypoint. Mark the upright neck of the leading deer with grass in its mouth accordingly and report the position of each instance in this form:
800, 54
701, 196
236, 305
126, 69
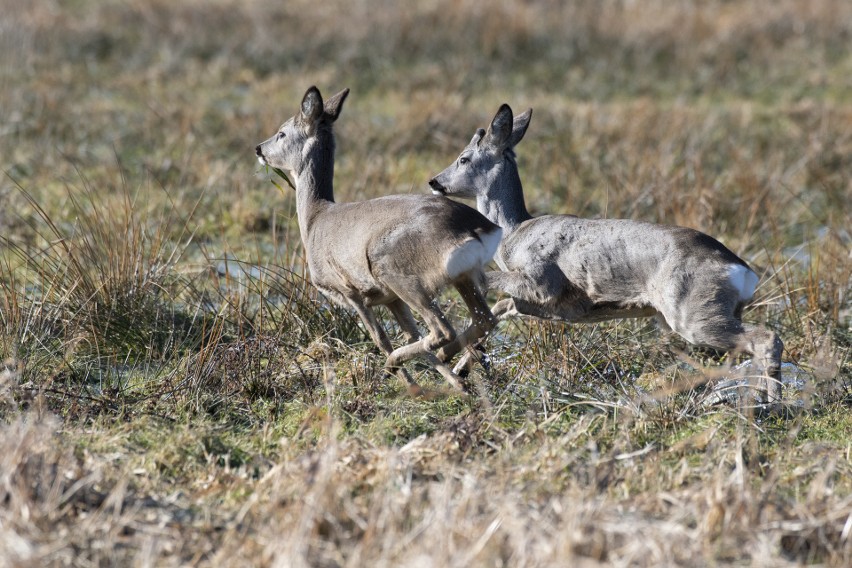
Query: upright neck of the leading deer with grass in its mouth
315, 184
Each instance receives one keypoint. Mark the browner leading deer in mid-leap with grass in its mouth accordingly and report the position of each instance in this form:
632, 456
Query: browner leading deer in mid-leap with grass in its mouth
398, 251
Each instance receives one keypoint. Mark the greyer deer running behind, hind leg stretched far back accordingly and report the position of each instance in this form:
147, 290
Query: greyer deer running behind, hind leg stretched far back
576, 270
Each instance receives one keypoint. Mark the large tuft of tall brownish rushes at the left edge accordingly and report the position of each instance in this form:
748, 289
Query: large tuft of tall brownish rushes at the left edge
94, 298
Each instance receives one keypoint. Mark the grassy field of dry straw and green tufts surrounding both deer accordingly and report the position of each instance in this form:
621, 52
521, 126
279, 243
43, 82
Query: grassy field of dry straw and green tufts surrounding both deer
174, 392
